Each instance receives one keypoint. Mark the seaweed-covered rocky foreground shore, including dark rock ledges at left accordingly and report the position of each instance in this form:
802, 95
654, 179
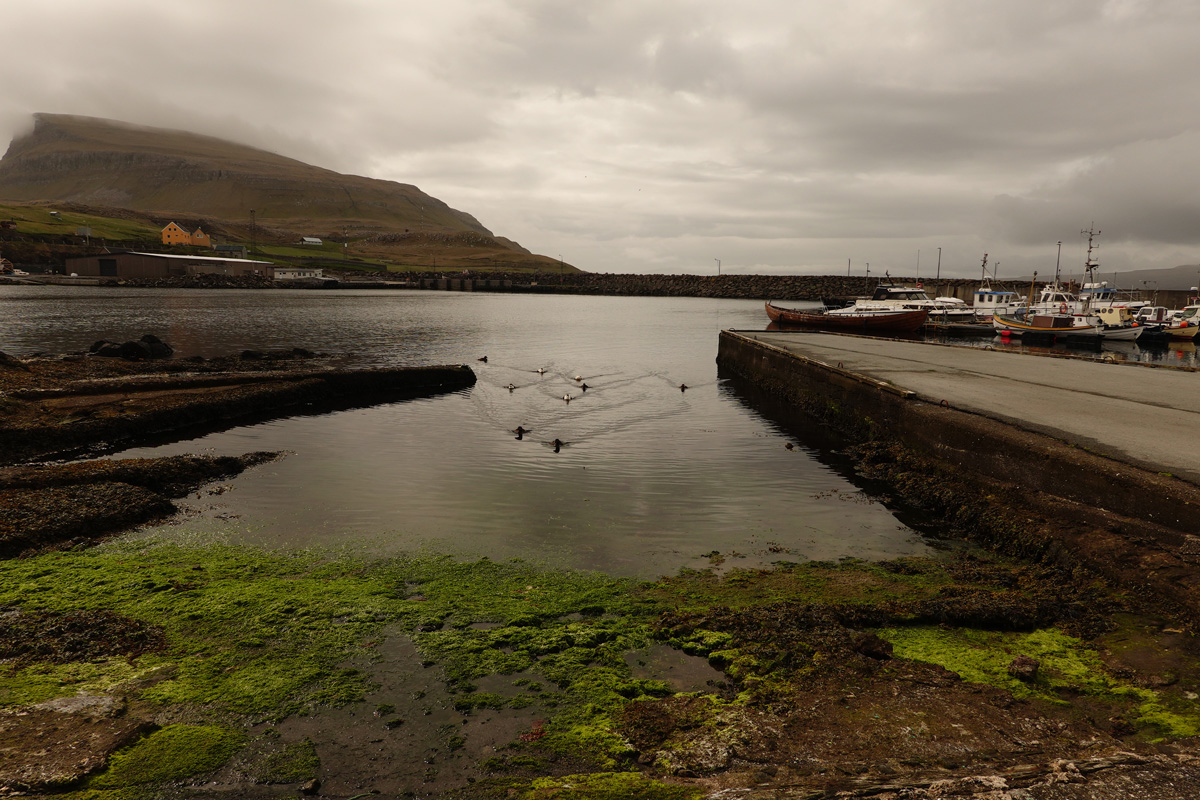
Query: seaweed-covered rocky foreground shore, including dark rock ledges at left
163, 667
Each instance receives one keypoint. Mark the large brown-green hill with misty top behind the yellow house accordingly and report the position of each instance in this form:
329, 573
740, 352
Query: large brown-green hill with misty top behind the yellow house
127, 183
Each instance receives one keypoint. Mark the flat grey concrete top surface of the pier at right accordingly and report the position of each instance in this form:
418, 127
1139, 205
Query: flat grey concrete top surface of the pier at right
1142, 416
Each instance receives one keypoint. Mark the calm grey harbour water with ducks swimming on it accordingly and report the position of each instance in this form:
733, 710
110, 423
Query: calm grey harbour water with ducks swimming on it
652, 478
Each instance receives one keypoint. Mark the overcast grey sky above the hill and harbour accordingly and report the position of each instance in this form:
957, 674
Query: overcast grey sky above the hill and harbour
659, 136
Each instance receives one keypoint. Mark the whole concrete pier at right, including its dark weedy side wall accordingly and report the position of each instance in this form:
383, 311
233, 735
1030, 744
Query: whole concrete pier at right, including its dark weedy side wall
1085, 461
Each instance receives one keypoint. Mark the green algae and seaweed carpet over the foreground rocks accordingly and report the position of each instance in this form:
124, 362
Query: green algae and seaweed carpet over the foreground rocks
253, 637
